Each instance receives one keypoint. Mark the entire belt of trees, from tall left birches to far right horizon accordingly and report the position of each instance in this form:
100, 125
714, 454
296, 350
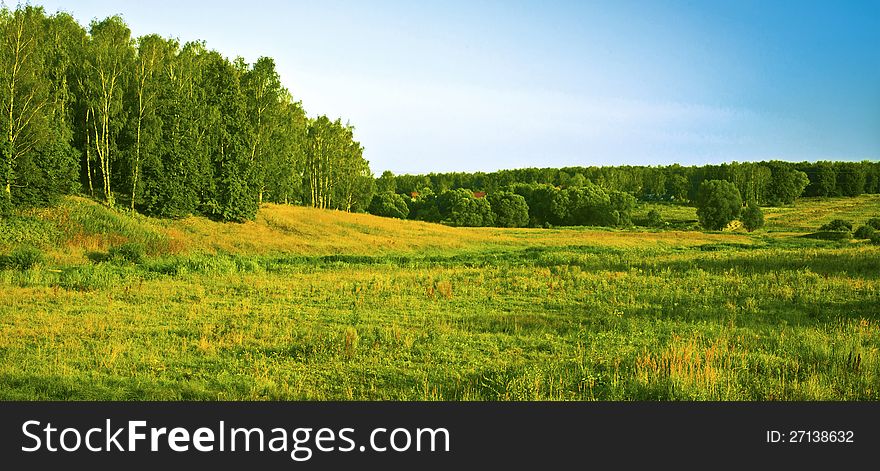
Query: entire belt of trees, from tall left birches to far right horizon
172, 130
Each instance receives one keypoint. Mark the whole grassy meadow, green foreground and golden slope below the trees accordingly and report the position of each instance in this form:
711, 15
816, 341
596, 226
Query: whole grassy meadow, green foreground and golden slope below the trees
310, 304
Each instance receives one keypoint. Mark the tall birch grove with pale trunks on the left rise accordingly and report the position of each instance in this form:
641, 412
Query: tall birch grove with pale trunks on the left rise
164, 128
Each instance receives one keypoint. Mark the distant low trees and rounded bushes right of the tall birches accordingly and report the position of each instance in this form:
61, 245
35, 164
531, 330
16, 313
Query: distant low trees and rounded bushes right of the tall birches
606, 195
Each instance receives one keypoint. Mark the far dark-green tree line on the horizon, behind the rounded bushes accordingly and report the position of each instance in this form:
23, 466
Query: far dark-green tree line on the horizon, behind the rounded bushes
767, 183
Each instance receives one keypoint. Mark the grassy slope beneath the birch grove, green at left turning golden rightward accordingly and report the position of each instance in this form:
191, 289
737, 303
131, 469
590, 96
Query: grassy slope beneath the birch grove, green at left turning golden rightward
78, 227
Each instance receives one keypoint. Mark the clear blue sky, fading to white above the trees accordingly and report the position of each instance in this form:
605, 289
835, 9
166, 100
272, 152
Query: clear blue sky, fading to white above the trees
454, 85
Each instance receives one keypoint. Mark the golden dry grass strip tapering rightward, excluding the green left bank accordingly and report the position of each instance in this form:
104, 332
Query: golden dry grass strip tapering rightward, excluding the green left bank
296, 229
